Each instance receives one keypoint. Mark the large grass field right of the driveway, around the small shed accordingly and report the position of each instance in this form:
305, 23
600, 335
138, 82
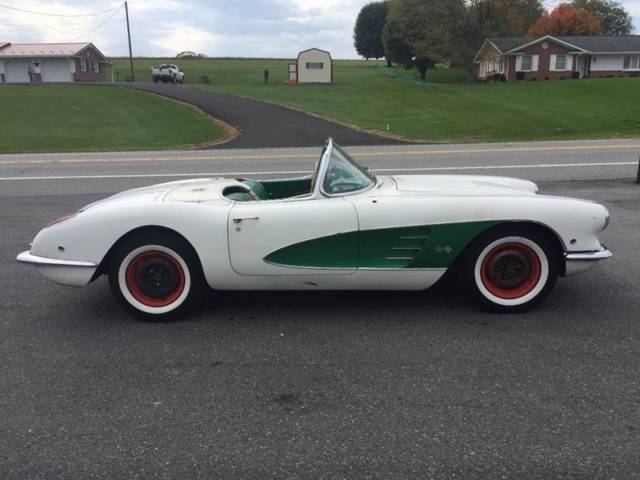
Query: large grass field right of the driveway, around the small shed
369, 95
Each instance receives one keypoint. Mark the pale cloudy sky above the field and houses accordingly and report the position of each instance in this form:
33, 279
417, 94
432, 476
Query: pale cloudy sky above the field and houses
217, 28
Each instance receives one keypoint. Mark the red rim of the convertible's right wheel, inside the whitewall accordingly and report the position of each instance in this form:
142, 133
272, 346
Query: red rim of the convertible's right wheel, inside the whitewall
510, 270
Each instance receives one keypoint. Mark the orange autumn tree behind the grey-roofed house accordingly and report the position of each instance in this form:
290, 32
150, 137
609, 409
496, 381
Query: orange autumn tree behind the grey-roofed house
566, 20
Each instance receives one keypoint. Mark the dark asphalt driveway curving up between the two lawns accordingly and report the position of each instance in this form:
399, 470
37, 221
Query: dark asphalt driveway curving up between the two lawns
284, 128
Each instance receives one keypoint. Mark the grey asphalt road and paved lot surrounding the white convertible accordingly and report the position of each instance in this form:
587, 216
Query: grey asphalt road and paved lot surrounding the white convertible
321, 385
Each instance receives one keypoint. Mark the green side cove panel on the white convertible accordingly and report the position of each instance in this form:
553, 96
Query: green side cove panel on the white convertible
433, 246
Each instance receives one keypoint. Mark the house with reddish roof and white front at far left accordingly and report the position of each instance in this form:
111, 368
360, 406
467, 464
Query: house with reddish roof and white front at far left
51, 62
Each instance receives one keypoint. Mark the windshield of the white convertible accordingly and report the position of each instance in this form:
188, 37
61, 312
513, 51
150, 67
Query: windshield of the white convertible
345, 175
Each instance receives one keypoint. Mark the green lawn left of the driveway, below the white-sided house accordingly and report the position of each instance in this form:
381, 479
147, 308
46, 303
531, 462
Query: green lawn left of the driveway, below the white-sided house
39, 118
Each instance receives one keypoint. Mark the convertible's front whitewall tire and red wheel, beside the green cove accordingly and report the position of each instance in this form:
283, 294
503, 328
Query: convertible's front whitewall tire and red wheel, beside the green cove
511, 269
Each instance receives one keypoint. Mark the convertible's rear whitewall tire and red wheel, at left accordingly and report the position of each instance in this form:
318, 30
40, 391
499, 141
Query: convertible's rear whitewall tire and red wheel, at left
156, 277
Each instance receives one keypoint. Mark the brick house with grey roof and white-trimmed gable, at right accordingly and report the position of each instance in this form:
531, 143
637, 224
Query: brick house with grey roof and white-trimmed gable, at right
552, 58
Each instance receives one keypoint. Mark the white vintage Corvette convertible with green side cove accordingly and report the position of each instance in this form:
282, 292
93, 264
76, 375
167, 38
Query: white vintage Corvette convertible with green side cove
341, 228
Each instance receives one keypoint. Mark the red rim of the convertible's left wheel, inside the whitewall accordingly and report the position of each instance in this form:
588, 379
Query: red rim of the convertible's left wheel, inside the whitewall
155, 278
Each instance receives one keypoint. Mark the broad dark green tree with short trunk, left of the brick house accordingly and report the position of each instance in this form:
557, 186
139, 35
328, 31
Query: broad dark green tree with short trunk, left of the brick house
420, 33
